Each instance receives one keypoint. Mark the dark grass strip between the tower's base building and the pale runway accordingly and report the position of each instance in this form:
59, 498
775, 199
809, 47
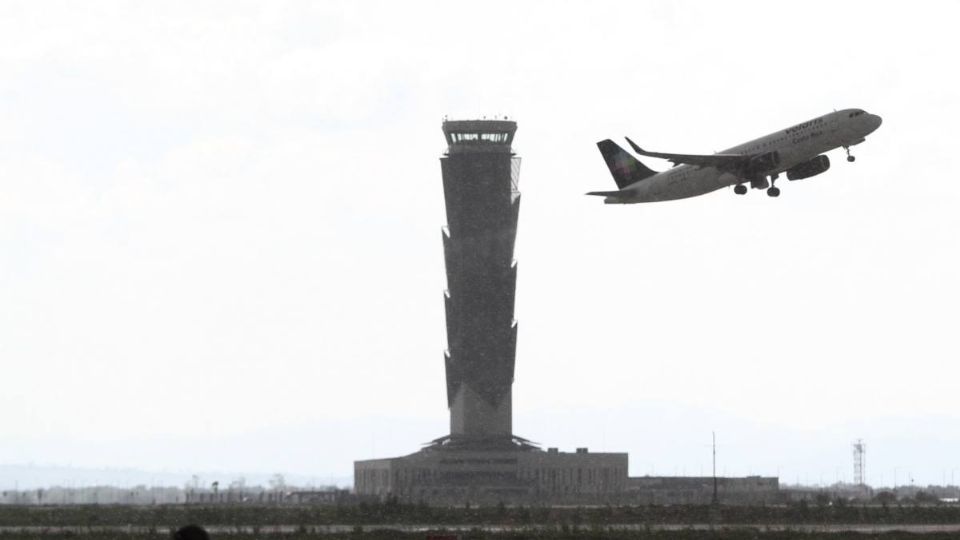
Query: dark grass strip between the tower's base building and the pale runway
164, 516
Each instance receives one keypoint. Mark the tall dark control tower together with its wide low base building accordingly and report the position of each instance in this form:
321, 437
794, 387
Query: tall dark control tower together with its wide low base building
481, 460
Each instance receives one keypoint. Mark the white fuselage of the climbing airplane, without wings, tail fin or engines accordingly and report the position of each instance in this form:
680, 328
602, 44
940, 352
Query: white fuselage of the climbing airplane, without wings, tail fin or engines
795, 145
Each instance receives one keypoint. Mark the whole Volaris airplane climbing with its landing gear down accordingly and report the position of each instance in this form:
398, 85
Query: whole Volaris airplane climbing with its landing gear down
798, 151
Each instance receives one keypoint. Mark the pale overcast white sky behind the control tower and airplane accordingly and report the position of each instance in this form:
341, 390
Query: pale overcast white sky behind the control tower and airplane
220, 242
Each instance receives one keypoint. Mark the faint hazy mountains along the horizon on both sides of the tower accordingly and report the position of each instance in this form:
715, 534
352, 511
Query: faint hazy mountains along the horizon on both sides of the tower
743, 449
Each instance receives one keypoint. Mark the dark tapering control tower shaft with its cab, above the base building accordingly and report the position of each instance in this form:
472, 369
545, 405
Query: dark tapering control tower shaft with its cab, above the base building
480, 174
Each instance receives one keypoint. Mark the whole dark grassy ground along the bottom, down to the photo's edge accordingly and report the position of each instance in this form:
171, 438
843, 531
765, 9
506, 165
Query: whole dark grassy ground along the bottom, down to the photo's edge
395, 520
